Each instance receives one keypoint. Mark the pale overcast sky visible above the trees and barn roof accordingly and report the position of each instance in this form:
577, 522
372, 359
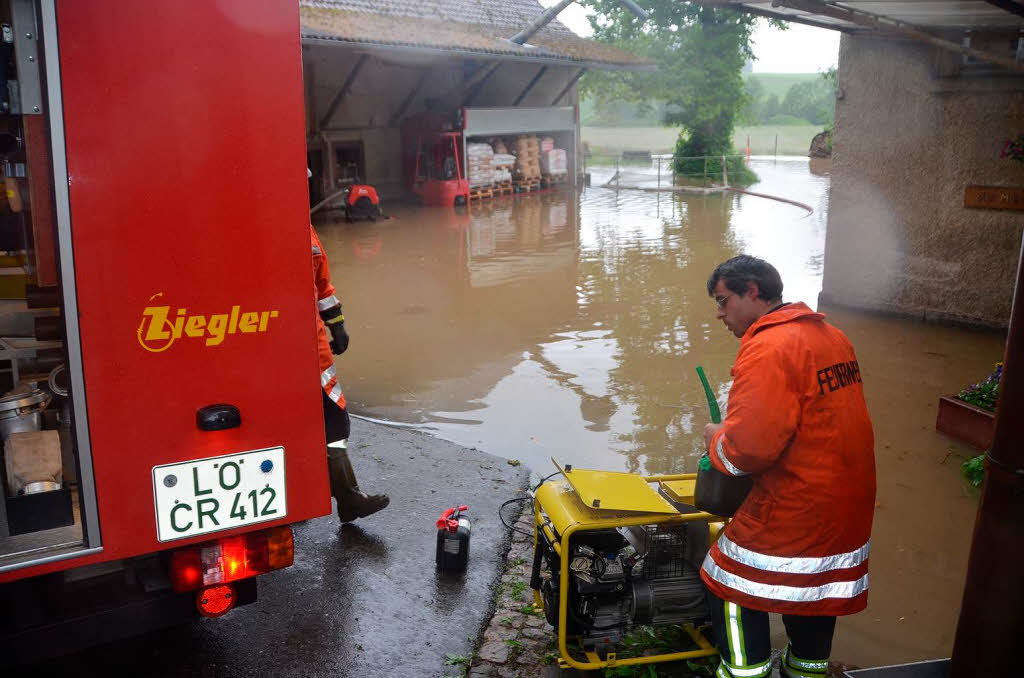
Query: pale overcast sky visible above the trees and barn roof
798, 50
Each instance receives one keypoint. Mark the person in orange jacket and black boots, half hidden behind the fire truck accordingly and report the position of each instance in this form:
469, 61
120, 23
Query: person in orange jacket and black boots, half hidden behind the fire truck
332, 340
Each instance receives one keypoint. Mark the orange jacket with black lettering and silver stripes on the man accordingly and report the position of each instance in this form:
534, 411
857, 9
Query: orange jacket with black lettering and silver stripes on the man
798, 422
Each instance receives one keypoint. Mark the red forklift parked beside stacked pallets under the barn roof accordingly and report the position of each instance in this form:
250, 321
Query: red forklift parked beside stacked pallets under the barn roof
434, 162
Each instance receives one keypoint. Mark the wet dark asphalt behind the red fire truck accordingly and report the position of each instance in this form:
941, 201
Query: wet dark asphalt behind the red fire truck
361, 601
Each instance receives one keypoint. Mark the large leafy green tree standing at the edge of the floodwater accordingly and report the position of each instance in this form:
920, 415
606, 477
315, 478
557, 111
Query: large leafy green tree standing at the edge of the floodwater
700, 52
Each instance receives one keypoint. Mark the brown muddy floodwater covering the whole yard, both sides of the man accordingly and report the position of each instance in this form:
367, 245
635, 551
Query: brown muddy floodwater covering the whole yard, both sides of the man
571, 326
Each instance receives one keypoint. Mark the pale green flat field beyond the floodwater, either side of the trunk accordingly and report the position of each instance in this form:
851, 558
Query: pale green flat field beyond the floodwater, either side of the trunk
793, 141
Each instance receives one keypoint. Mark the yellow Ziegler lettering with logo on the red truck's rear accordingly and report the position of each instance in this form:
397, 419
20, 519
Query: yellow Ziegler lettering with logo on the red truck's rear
162, 326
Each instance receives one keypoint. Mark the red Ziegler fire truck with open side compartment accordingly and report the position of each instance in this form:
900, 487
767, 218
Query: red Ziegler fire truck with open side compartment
157, 224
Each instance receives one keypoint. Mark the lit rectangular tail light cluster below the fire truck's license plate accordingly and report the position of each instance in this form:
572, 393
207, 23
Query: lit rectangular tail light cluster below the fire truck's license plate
232, 559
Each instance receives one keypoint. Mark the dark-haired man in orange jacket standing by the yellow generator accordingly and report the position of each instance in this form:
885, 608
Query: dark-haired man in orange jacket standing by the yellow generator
797, 421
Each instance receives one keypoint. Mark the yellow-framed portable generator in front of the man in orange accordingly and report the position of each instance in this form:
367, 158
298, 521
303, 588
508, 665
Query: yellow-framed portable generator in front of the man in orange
615, 552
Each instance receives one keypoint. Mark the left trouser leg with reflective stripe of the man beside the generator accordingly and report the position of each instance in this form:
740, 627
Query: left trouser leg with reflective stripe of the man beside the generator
743, 639
